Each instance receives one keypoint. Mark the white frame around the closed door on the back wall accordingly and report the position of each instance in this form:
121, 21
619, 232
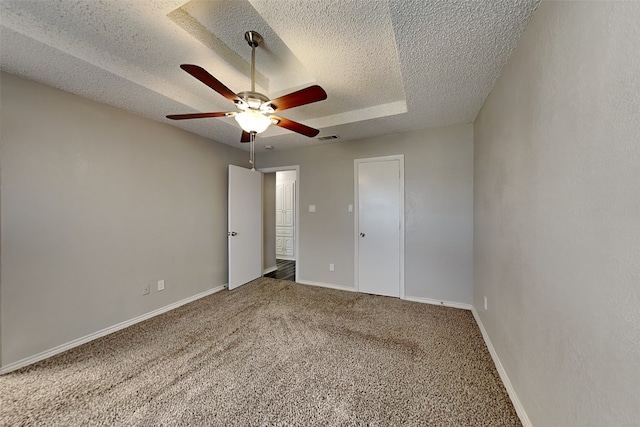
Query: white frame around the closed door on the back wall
356, 162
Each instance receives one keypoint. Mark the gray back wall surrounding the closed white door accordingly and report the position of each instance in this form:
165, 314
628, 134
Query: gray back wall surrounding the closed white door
438, 209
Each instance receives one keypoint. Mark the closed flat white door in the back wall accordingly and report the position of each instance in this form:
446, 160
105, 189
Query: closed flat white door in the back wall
380, 225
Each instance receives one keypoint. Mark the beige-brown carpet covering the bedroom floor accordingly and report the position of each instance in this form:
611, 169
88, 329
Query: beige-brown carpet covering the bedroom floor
271, 353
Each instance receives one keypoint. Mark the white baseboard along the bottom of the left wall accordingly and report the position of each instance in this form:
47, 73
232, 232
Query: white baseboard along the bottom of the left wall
106, 331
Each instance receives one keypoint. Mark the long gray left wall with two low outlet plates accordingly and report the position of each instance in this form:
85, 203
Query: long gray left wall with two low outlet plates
96, 203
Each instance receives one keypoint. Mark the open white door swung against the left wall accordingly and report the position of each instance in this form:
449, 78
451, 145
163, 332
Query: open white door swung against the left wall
245, 225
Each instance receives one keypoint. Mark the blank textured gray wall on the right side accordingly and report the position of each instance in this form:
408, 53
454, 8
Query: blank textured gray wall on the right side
557, 215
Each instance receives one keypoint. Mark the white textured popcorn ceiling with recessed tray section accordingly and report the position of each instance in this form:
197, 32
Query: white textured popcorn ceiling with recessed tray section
388, 66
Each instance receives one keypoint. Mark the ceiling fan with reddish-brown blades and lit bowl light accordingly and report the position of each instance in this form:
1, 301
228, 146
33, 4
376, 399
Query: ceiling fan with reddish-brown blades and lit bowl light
255, 111
